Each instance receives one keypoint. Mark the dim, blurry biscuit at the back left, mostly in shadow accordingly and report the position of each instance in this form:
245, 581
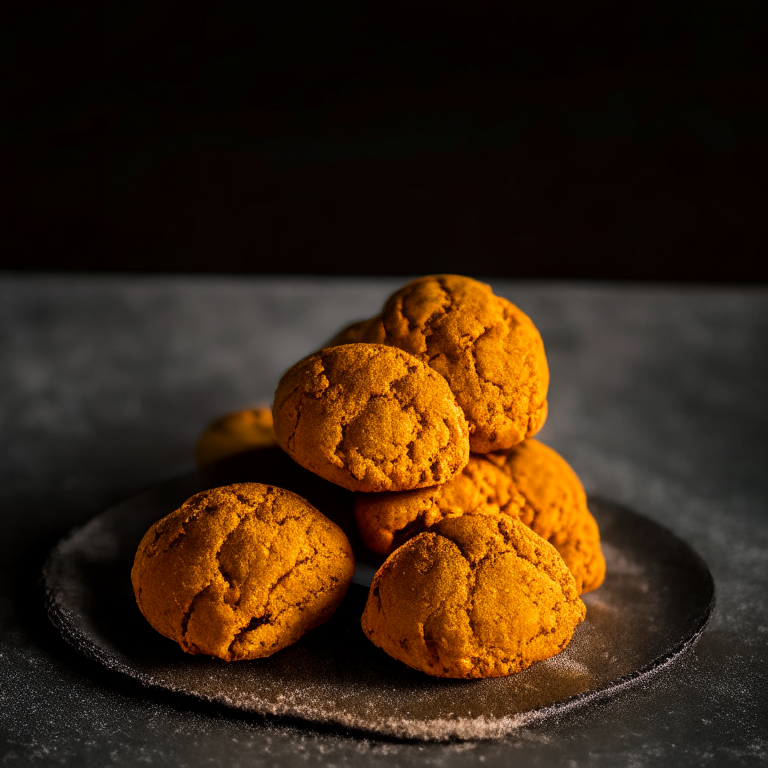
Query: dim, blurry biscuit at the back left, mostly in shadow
234, 433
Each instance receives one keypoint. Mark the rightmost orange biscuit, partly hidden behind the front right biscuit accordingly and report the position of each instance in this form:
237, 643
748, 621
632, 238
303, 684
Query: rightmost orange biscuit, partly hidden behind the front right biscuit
555, 507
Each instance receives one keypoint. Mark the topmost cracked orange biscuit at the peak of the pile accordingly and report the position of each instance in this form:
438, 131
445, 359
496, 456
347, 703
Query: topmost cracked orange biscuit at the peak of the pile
488, 350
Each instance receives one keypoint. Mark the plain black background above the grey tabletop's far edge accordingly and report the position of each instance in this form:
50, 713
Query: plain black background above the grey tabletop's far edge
608, 141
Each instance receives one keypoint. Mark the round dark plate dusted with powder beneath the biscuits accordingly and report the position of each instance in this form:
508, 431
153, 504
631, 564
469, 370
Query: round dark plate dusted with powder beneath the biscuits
655, 602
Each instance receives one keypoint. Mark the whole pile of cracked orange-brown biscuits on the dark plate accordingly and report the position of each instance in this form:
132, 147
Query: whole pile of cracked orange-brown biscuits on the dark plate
427, 413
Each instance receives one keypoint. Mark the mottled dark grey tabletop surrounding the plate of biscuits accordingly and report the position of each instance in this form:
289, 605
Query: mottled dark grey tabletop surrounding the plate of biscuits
659, 399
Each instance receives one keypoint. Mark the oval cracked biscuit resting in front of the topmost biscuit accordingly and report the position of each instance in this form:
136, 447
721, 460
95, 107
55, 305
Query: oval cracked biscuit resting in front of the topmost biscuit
371, 417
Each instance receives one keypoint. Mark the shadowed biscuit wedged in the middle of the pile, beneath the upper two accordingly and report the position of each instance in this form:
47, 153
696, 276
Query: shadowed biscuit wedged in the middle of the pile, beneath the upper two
387, 520
